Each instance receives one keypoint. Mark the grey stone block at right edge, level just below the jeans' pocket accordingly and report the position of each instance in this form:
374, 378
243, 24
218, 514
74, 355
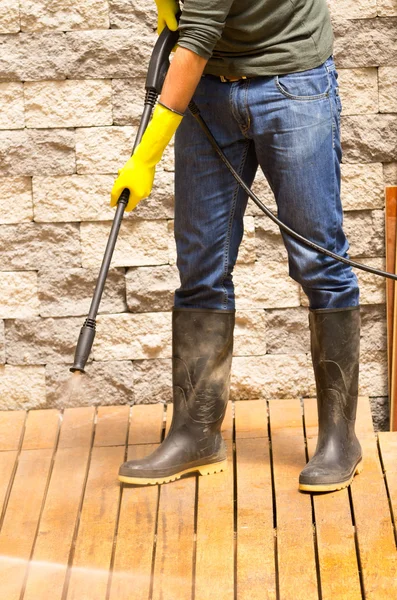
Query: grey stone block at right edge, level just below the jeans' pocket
371, 138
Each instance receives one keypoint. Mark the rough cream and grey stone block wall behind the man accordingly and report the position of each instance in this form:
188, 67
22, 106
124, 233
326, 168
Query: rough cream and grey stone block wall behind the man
71, 92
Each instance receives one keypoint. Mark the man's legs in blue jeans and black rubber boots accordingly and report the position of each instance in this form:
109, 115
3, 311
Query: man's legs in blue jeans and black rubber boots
289, 126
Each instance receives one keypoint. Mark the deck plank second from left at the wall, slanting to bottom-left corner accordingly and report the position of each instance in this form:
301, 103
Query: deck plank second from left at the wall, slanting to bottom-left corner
24, 506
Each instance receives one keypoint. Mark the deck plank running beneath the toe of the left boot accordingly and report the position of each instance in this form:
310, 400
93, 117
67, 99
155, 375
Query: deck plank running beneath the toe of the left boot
131, 577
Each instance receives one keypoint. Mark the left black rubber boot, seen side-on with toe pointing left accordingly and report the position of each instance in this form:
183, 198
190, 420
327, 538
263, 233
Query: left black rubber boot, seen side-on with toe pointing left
202, 345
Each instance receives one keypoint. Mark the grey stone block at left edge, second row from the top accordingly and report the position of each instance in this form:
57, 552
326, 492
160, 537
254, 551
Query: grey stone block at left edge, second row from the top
33, 56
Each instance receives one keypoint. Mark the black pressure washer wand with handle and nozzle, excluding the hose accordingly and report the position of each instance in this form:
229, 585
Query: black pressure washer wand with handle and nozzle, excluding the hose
158, 67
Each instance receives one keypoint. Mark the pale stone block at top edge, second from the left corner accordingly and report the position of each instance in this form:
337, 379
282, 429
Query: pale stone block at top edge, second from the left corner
42, 15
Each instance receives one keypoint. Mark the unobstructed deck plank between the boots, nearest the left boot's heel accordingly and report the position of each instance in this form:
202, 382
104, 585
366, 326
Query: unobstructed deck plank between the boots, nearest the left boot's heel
256, 572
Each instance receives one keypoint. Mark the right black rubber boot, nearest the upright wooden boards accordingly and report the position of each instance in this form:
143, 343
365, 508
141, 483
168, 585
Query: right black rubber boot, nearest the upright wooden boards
335, 347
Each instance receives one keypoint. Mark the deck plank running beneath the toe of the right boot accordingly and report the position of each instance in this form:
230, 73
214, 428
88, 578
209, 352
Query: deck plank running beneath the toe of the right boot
339, 571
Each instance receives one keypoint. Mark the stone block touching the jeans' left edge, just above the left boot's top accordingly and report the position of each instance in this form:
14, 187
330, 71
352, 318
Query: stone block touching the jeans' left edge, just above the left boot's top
151, 289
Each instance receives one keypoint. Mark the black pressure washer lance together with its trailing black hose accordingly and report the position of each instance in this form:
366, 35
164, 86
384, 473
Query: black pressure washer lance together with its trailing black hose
157, 71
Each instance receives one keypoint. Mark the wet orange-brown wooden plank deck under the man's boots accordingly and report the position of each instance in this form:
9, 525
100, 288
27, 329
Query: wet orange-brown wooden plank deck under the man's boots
70, 531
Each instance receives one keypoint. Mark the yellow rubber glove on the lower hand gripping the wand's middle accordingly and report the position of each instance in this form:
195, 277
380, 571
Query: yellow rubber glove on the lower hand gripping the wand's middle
138, 172
